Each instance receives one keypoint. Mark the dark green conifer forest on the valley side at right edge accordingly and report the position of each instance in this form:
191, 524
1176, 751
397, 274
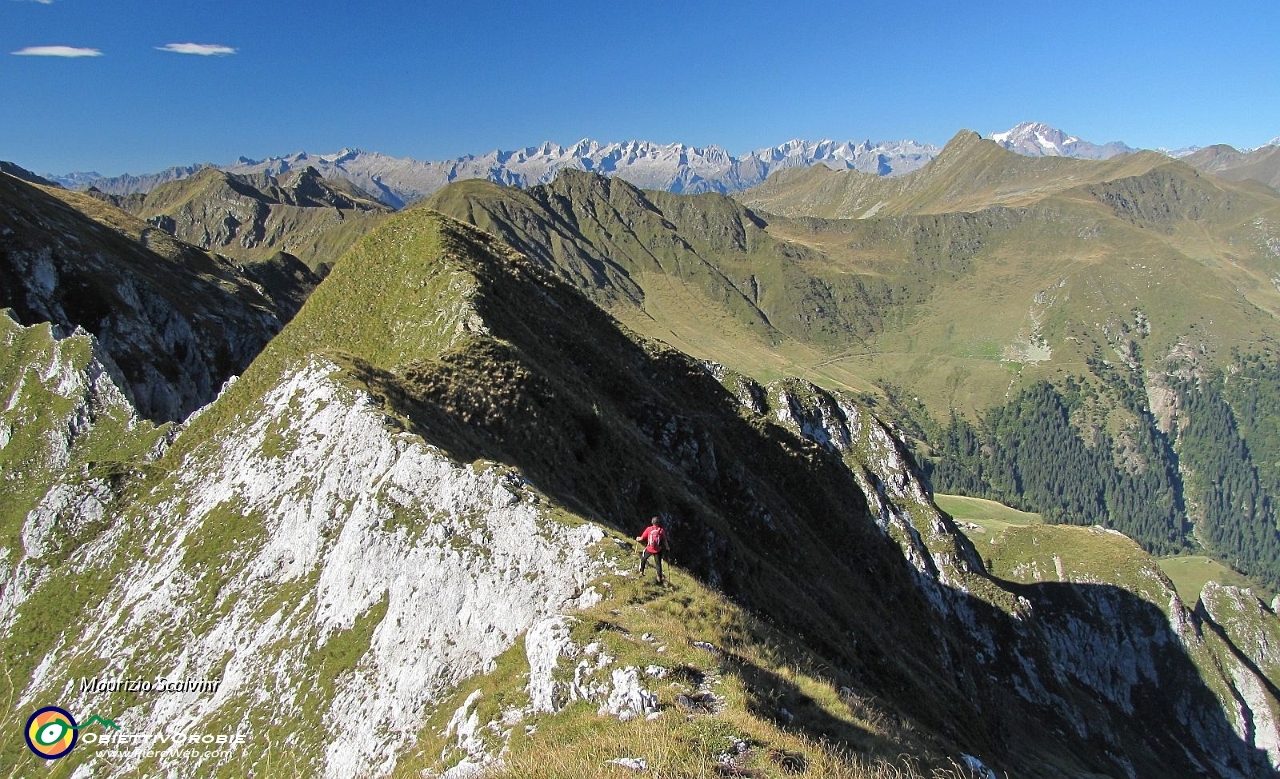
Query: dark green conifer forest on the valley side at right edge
1210, 485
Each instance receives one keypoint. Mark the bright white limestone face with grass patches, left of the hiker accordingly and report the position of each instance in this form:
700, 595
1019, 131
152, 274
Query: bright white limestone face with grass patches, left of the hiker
308, 531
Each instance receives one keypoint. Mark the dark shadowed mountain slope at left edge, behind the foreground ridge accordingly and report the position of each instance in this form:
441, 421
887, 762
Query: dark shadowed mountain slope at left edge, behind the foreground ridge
172, 320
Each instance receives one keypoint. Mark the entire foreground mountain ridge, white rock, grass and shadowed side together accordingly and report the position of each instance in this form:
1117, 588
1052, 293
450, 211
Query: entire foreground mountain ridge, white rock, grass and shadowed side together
440, 461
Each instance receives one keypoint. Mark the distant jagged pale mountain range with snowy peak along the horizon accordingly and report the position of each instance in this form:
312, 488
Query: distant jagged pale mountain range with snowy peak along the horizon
674, 167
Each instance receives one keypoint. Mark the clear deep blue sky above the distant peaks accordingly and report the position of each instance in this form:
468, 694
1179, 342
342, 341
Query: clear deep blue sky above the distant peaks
440, 80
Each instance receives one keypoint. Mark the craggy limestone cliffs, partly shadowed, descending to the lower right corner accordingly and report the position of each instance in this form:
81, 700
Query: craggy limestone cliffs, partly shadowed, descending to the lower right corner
1107, 641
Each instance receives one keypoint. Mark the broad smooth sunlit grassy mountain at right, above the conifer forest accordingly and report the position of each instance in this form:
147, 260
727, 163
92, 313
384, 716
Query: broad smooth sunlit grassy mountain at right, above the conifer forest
1164, 262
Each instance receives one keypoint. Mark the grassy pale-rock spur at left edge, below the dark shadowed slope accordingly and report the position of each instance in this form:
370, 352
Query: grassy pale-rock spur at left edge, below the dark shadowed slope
63, 413
